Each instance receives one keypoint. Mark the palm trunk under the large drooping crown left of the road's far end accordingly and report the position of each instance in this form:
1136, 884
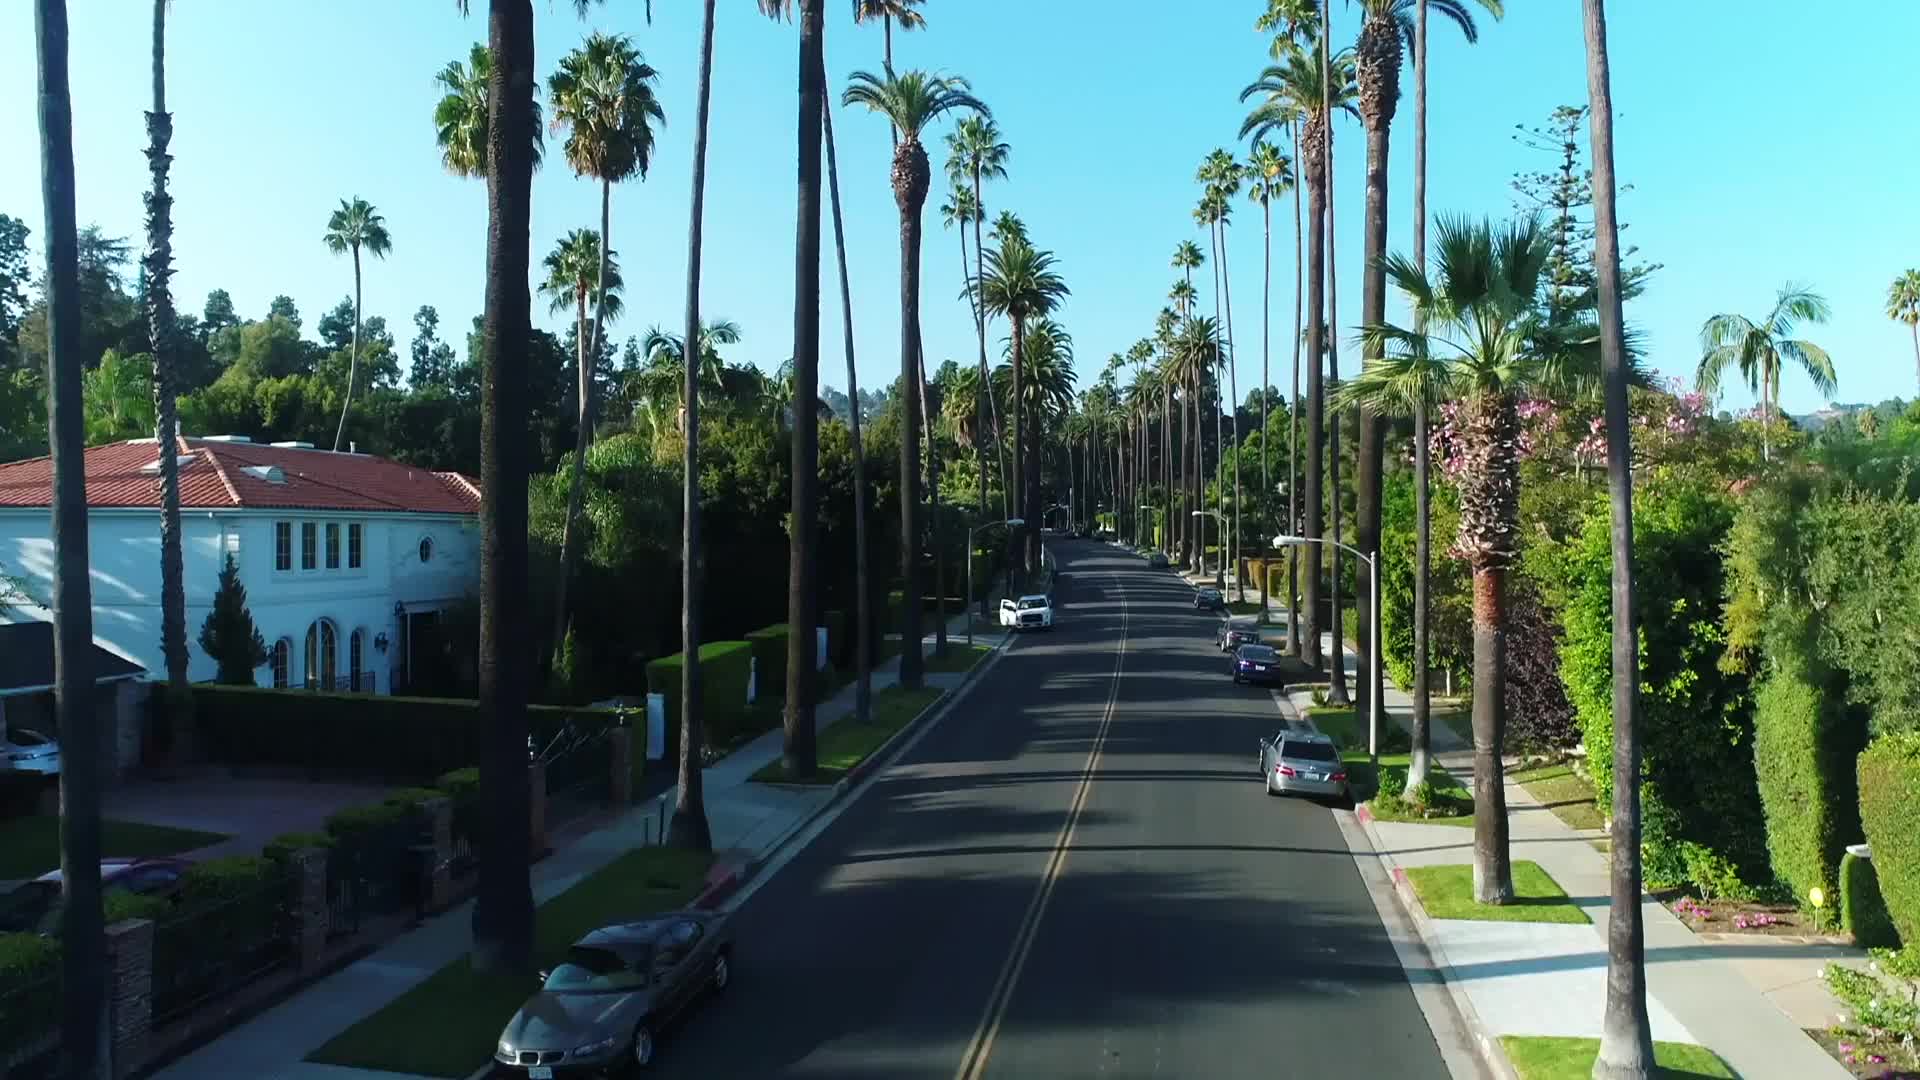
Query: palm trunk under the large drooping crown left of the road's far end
909, 195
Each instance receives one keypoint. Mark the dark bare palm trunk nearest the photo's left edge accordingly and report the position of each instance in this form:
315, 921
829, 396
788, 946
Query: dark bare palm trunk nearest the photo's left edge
84, 941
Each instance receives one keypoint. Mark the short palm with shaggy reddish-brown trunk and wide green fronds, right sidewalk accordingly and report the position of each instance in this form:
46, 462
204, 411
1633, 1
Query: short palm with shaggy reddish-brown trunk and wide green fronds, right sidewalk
1477, 335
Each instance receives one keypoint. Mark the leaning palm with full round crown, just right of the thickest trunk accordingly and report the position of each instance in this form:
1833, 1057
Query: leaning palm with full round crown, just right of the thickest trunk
604, 97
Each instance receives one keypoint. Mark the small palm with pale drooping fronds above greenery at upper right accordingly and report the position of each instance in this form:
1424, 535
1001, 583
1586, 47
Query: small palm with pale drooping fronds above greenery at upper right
1760, 351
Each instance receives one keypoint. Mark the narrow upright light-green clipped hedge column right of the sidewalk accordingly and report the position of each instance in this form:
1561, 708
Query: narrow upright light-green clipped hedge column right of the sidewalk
1804, 766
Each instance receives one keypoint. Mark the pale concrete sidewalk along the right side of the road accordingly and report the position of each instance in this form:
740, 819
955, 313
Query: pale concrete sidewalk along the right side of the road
1744, 998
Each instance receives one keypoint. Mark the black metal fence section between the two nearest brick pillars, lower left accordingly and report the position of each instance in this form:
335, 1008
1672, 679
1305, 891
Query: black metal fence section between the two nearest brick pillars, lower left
212, 948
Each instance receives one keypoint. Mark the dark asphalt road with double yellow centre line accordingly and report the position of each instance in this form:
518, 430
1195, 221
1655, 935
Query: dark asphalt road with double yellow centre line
949, 927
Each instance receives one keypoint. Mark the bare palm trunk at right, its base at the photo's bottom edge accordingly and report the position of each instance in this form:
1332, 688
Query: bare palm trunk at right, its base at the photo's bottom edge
1625, 1035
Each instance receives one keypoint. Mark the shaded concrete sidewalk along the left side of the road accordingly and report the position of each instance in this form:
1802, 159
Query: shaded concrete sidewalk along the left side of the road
748, 823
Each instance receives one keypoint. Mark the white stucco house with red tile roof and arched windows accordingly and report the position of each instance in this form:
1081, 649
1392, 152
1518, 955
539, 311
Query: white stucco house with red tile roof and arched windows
350, 562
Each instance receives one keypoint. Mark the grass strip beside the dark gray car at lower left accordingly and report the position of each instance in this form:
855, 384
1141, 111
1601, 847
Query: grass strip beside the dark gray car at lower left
448, 1025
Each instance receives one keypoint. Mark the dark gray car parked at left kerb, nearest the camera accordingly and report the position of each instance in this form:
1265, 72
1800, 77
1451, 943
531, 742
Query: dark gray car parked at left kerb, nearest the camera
604, 1008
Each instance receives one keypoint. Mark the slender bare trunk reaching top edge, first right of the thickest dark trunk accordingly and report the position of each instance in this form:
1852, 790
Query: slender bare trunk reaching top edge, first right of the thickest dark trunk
690, 829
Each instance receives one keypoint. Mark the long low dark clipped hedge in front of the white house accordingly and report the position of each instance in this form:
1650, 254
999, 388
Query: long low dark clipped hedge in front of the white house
372, 735
